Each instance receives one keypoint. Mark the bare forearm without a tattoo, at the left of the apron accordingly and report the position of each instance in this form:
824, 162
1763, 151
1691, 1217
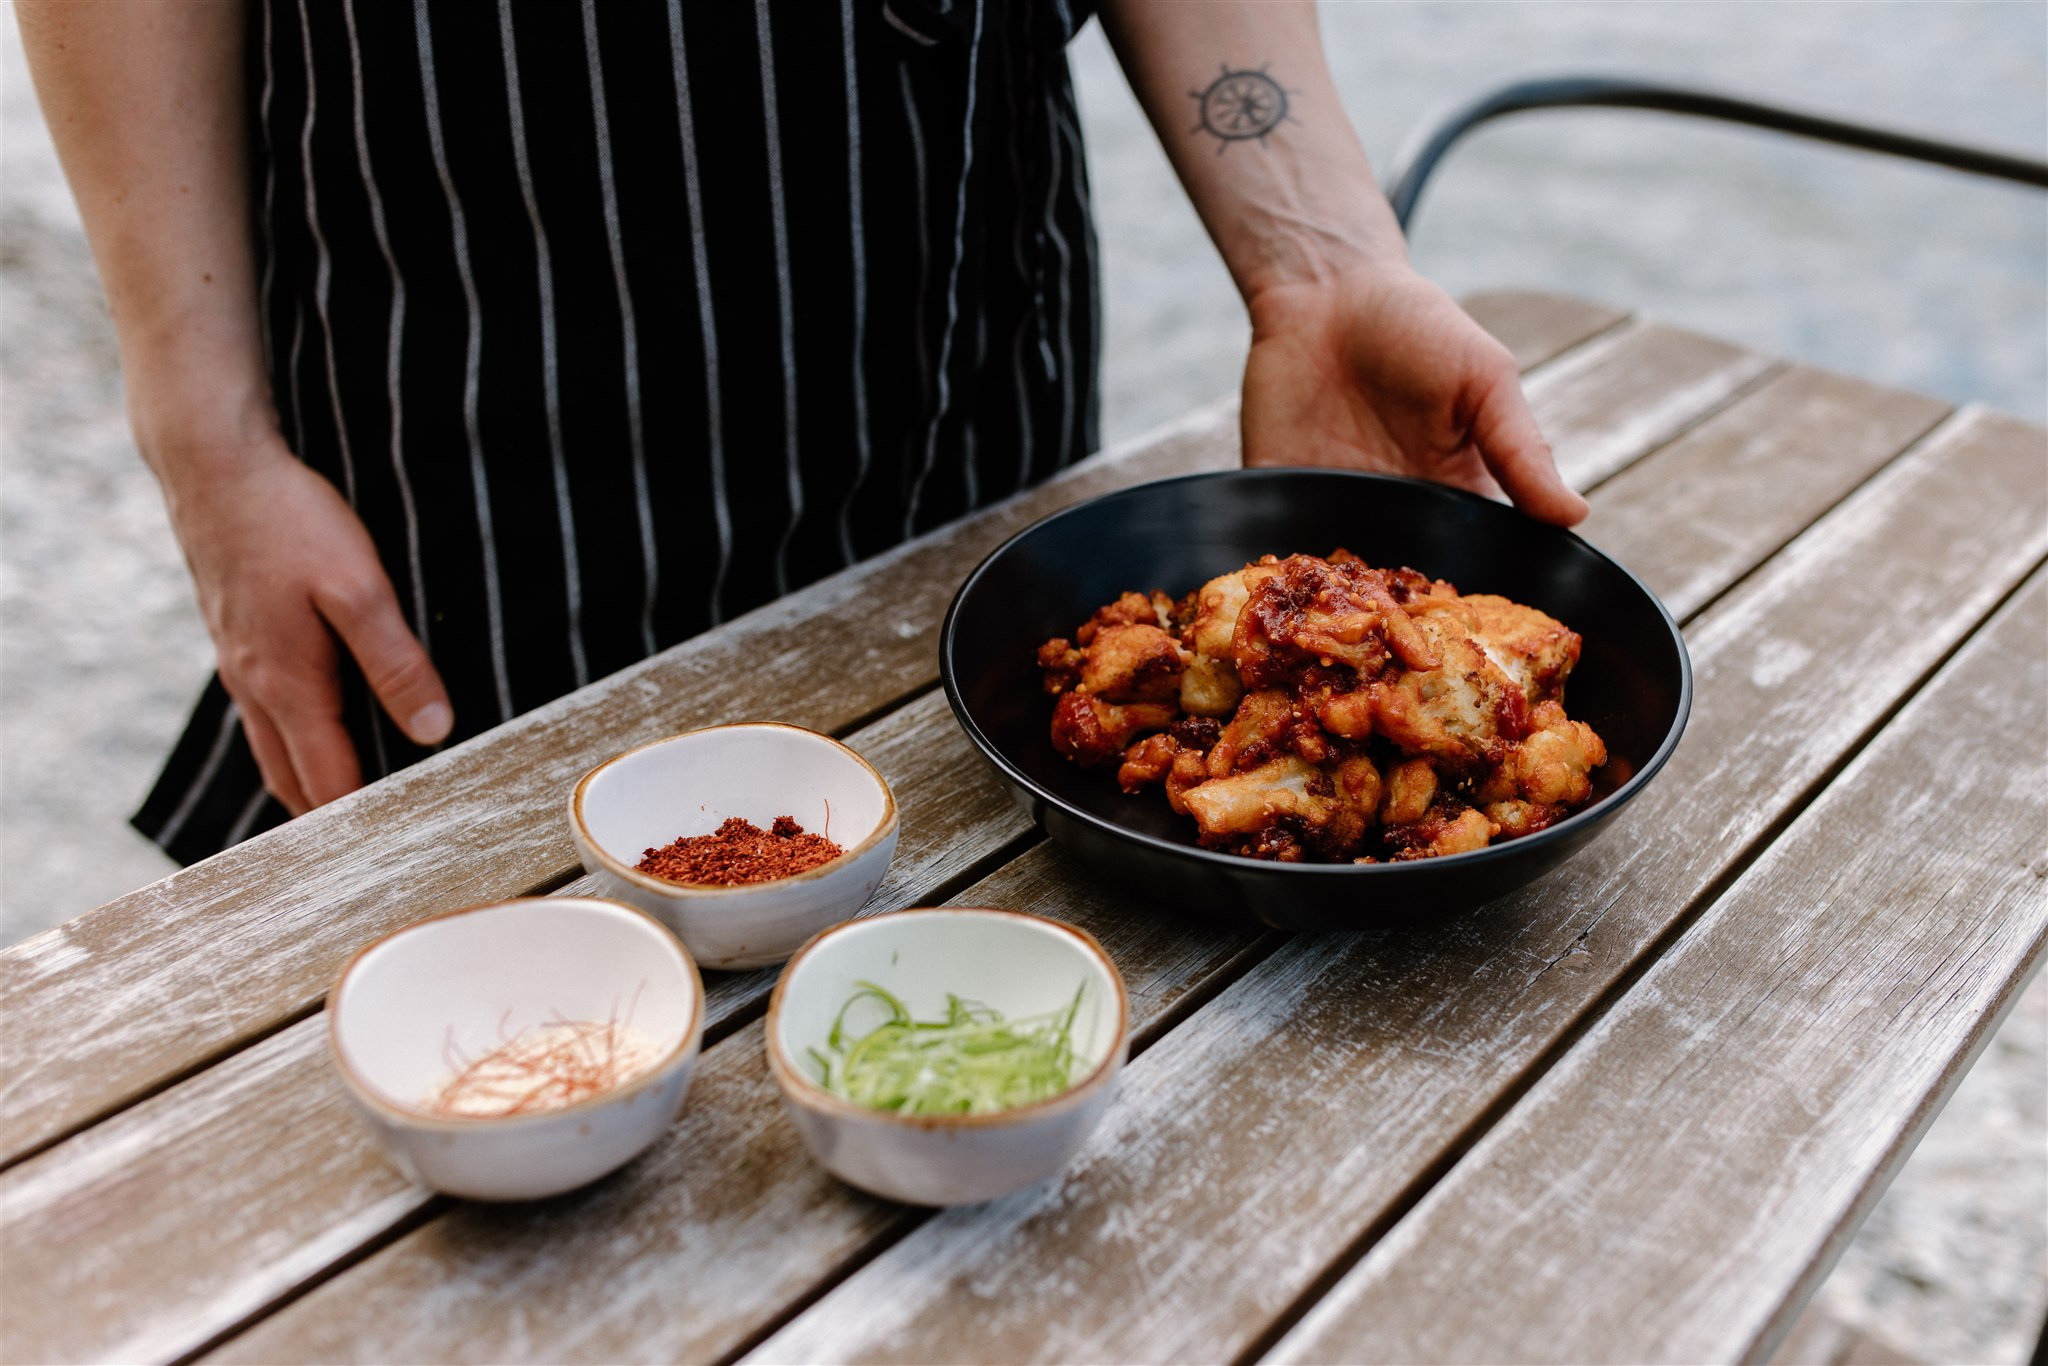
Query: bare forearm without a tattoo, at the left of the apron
144, 103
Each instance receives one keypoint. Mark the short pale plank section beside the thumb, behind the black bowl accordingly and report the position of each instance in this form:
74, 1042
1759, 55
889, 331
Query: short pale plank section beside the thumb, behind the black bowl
1639, 386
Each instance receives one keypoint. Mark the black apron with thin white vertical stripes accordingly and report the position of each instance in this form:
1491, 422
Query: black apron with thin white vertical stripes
620, 321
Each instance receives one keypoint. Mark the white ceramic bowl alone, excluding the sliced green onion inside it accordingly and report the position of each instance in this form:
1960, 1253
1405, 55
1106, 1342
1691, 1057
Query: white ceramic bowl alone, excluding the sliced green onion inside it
1017, 964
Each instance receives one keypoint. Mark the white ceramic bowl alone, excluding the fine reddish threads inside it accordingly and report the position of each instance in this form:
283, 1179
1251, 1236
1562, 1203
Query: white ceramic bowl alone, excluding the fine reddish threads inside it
462, 984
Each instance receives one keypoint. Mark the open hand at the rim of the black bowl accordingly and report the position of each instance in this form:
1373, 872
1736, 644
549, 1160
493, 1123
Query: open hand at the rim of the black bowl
1379, 370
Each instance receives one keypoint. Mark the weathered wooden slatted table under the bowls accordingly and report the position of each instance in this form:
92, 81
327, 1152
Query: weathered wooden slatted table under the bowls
1631, 1113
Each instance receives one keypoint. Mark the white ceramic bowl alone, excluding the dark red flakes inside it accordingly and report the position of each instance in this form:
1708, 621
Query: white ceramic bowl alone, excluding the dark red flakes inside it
689, 785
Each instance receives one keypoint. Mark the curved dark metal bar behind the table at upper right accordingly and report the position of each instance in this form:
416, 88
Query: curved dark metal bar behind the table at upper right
1422, 155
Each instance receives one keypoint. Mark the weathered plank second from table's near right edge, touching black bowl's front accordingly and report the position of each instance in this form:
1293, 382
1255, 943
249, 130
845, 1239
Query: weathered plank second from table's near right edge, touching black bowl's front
1322, 1091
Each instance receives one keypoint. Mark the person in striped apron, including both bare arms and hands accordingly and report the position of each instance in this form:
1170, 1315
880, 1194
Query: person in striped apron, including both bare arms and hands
482, 351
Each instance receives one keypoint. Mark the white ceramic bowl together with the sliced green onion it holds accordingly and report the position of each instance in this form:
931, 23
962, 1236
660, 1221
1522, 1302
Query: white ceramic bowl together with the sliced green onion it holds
947, 1056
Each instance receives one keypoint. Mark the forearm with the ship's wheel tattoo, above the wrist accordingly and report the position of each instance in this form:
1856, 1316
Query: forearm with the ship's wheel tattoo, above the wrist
1269, 159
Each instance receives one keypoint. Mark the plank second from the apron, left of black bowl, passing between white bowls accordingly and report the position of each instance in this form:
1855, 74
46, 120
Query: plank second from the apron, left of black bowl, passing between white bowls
292, 1181
